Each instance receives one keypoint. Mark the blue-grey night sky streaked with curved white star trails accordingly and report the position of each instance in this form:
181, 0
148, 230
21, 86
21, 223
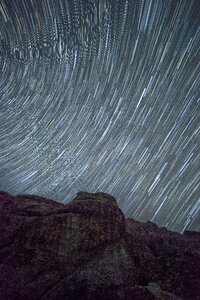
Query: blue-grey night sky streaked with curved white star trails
103, 95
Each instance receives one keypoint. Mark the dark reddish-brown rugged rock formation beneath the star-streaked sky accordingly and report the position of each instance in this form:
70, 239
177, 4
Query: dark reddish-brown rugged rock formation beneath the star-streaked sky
87, 250
